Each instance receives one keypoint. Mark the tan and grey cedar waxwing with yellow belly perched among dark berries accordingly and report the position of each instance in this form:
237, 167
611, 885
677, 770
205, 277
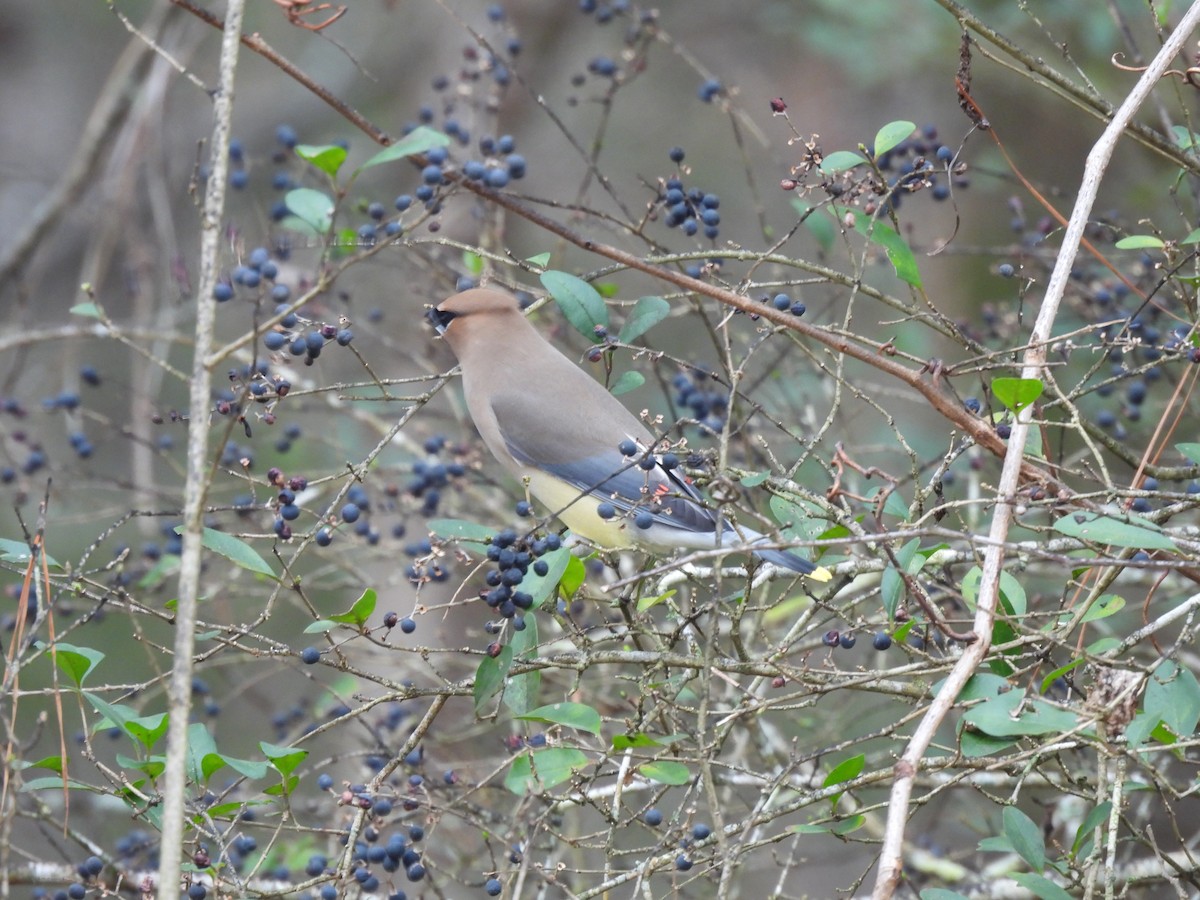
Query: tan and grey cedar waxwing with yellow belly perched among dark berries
584, 455
